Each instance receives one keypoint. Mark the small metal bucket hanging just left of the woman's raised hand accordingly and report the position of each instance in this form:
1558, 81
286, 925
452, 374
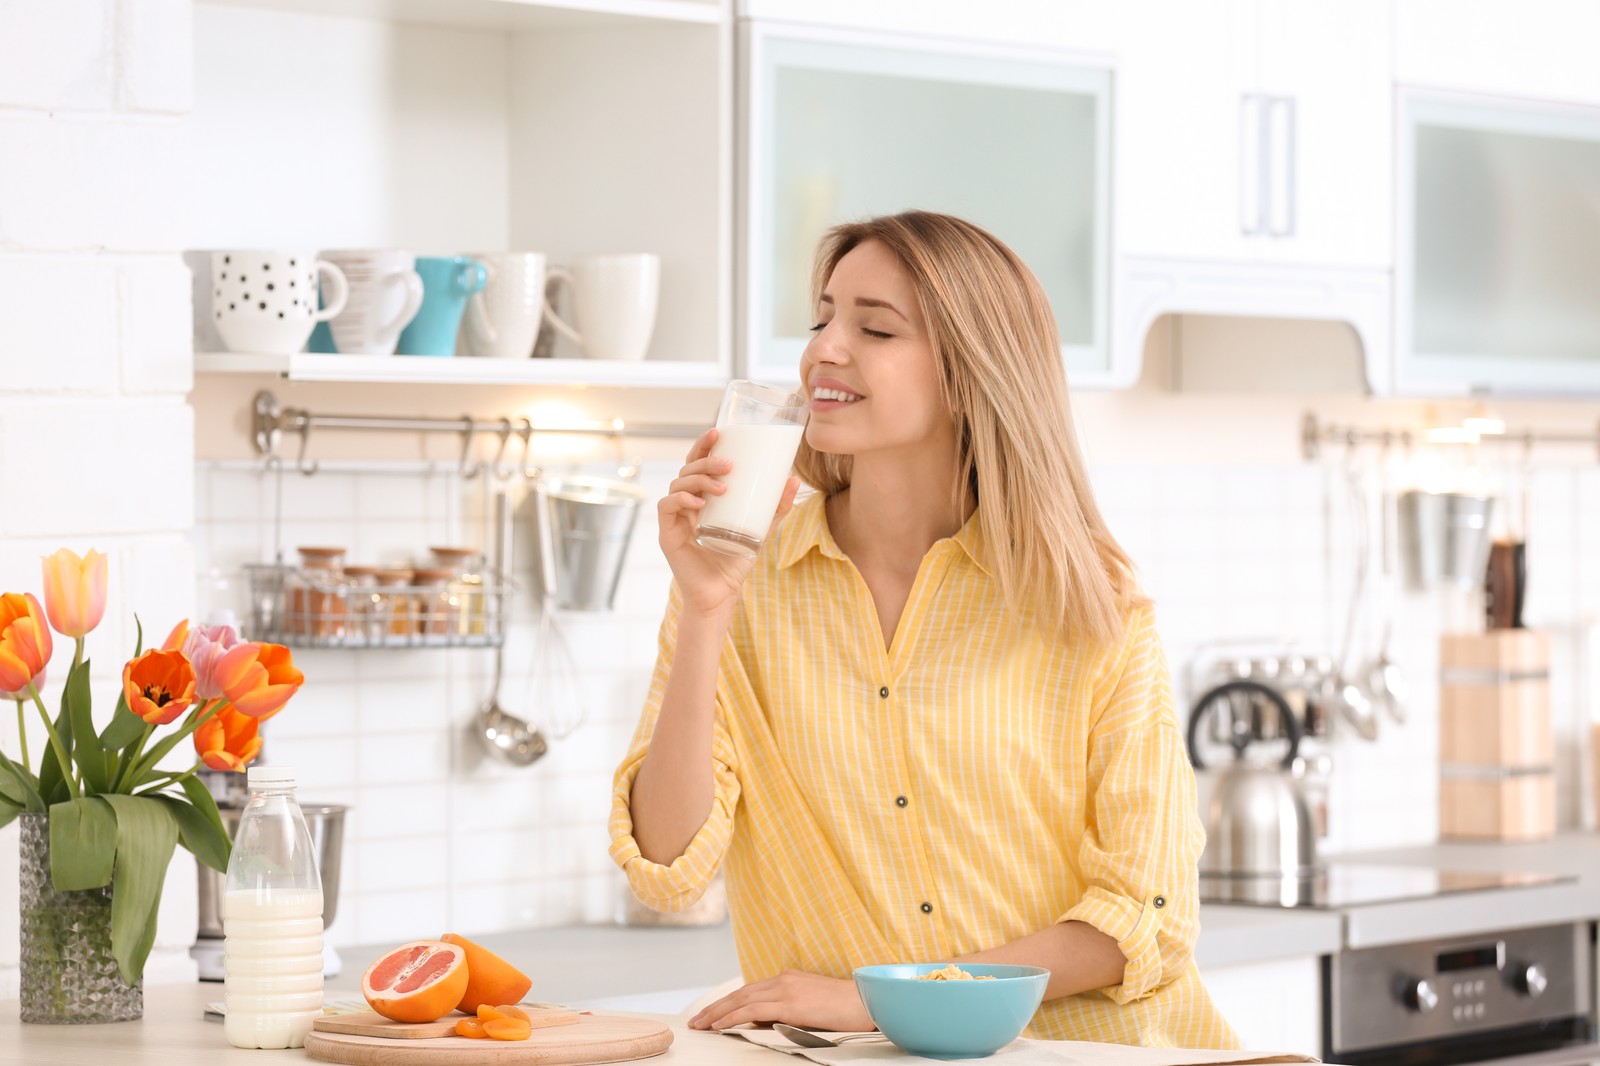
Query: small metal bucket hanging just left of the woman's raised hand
585, 526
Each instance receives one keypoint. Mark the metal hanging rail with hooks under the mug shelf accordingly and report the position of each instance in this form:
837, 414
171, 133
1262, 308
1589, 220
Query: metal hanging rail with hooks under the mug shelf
274, 420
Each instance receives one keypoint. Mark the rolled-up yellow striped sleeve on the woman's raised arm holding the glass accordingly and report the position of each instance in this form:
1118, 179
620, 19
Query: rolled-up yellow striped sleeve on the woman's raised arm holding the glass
676, 886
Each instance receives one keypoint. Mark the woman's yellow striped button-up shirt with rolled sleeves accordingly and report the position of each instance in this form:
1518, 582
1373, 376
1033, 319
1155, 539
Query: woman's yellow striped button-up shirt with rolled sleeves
970, 785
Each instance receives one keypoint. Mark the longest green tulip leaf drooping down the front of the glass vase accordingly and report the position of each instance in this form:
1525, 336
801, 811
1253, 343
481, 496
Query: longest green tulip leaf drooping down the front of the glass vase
146, 838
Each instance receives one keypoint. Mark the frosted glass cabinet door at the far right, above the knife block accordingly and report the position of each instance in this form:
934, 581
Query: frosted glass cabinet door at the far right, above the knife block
1498, 268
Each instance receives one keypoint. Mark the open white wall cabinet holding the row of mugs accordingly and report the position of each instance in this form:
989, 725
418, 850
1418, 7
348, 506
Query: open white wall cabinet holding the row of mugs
450, 127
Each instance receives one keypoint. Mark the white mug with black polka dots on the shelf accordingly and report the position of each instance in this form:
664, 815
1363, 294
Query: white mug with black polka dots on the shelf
266, 302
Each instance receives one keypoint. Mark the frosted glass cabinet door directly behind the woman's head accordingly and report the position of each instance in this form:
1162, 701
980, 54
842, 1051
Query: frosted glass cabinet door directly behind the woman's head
846, 127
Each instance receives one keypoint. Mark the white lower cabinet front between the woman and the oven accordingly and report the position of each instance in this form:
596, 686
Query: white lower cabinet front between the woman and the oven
1273, 1006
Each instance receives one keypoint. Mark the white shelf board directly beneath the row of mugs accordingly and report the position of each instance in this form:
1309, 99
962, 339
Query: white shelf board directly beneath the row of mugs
454, 371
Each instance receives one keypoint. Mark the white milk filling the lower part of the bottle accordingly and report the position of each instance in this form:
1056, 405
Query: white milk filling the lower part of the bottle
273, 966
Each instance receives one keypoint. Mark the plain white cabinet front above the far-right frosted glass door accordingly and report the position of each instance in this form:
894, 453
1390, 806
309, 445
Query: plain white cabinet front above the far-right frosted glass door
1532, 49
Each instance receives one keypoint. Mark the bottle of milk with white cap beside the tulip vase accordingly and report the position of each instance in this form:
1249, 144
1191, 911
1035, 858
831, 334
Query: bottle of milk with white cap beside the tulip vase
273, 920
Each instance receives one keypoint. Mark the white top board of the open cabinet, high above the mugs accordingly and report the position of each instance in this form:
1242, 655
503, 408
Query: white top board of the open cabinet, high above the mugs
513, 15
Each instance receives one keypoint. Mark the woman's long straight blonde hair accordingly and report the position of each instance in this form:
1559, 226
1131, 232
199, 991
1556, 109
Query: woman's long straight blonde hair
994, 339
